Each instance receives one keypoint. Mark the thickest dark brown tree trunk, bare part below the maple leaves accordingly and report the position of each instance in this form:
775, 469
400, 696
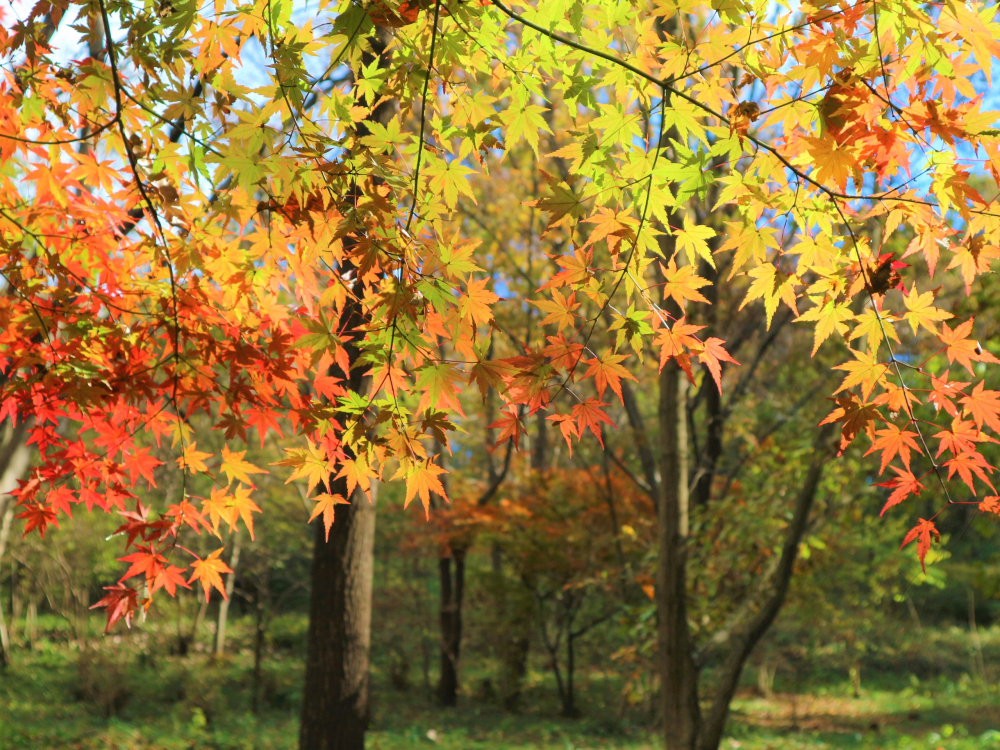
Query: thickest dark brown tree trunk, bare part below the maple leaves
335, 704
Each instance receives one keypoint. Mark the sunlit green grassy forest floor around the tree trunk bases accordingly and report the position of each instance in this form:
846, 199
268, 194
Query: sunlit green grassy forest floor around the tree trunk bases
55, 697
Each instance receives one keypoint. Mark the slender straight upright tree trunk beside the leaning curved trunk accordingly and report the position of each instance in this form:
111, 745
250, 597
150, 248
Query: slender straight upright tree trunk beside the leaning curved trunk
678, 673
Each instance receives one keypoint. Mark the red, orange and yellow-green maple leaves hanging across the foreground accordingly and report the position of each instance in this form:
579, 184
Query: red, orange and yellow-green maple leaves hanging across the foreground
201, 211
